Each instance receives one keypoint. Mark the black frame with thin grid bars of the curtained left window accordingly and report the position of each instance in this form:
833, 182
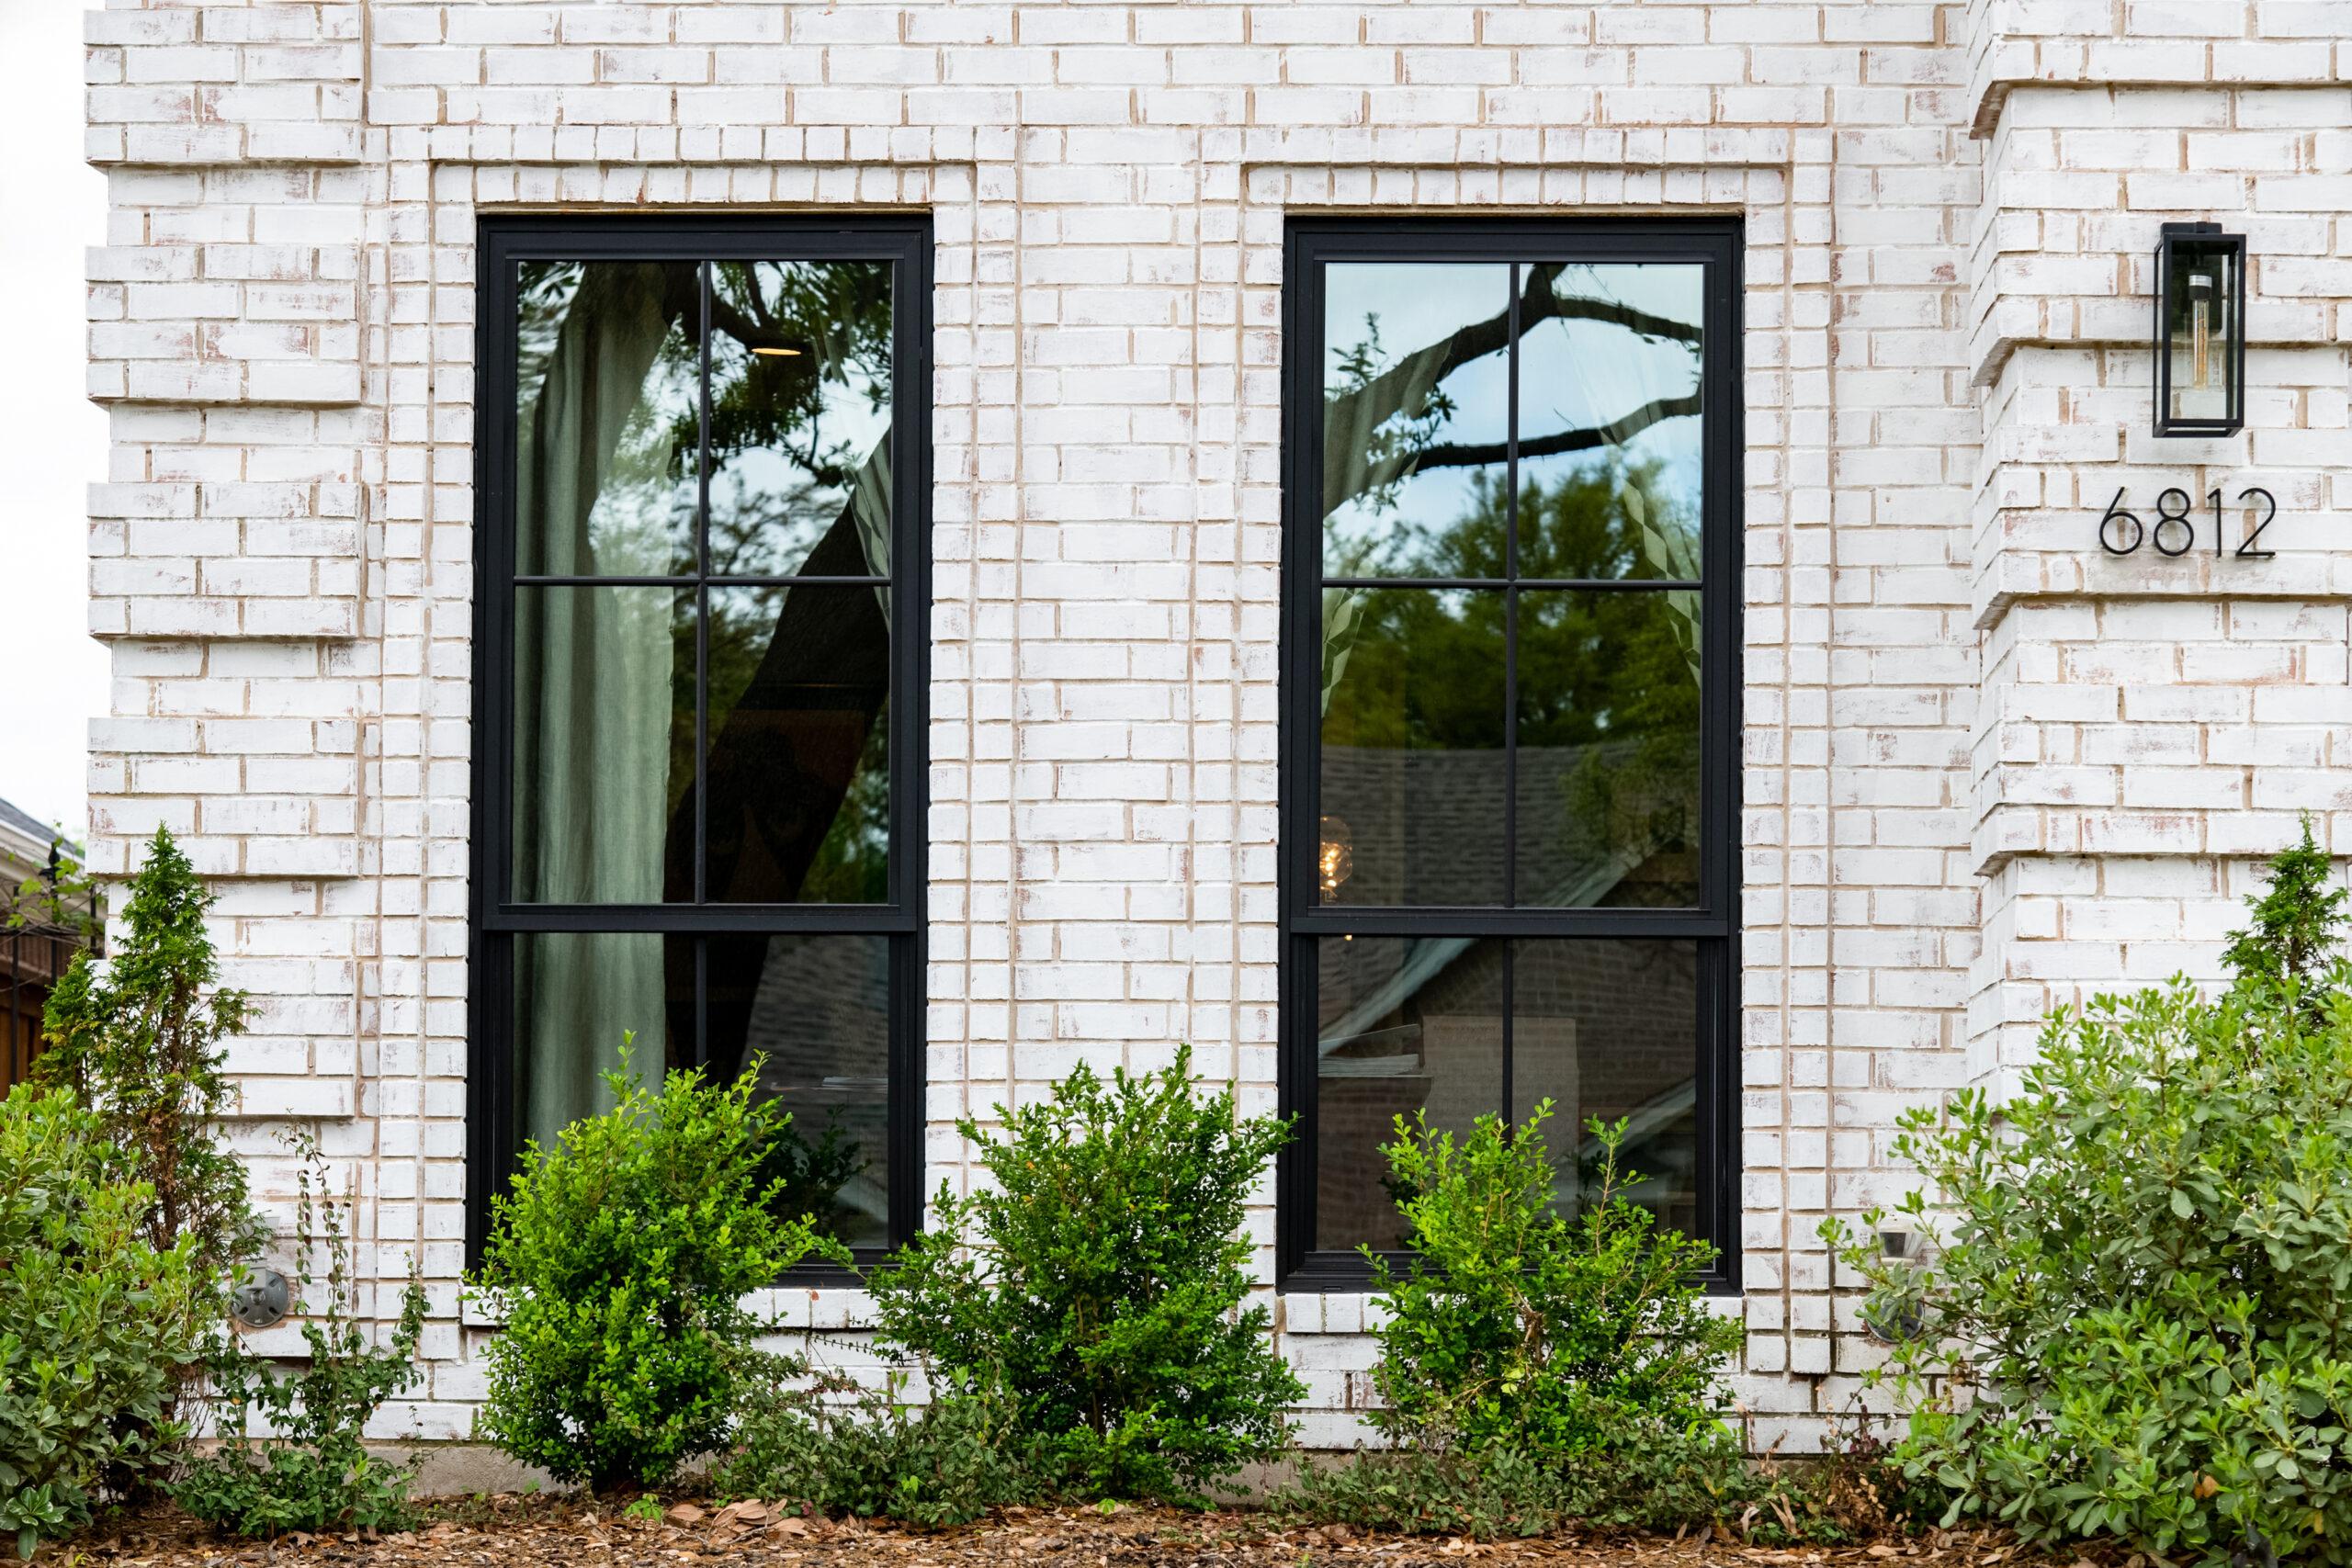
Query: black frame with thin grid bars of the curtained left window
869, 953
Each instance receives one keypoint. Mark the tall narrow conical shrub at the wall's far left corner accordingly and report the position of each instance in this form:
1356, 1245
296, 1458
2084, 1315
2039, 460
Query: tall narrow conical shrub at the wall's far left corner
140, 1045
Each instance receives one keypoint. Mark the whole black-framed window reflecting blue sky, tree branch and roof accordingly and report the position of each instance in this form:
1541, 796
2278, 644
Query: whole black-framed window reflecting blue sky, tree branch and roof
1511, 706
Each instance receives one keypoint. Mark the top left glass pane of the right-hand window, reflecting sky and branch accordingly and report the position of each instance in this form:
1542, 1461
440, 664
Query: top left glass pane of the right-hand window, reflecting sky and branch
1417, 410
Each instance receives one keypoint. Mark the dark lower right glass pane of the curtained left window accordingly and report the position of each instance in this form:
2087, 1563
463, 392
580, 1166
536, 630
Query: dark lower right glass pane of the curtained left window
817, 1012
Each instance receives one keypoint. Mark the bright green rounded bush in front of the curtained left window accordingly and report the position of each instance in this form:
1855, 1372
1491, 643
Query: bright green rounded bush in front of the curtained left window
620, 1261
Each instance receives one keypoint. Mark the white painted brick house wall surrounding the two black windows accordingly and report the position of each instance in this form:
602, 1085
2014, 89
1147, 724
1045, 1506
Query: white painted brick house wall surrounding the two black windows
1984, 768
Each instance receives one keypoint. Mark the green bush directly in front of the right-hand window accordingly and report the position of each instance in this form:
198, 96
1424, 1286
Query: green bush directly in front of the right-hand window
1521, 1329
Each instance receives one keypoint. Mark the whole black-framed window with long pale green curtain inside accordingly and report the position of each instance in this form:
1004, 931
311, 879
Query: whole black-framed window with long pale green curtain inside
700, 676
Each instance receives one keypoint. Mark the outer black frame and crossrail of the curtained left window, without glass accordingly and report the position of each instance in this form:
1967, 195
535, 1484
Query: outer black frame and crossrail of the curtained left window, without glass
493, 1146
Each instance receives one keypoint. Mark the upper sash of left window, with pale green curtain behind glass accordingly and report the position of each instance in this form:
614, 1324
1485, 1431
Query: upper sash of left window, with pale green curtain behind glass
759, 415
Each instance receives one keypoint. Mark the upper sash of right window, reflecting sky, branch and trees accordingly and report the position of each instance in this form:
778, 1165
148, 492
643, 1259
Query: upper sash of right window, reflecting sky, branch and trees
1511, 577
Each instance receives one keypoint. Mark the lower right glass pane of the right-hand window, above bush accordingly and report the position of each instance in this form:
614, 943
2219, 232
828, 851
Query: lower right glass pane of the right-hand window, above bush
1612, 1031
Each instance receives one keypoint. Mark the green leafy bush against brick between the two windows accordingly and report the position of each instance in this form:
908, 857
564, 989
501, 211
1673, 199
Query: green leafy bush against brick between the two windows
1100, 1285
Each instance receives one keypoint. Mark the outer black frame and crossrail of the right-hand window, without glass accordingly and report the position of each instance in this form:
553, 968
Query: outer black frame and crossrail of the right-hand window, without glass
1713, 925
